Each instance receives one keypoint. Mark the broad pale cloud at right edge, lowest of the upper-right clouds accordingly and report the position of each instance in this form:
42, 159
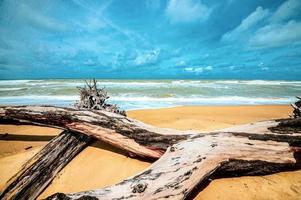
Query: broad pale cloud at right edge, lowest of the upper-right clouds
276, 35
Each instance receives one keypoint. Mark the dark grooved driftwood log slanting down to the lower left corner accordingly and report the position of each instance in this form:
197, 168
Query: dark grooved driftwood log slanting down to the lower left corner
39, 171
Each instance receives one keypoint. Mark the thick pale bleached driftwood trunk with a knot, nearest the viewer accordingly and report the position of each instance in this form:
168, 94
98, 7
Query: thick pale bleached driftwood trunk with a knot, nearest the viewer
191, 162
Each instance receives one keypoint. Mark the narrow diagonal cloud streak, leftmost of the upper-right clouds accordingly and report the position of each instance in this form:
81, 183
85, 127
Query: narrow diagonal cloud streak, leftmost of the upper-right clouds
254, 18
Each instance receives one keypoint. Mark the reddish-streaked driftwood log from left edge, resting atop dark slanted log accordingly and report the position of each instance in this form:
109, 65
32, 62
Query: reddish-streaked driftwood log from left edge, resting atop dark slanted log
125, 133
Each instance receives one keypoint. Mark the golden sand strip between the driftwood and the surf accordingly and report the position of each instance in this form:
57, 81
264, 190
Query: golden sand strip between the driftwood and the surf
207, 118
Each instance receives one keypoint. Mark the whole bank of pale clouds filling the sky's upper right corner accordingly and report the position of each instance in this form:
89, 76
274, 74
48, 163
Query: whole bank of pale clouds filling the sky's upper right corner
263, 29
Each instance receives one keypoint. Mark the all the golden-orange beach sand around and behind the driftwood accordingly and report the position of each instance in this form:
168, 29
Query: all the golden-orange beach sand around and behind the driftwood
101, 165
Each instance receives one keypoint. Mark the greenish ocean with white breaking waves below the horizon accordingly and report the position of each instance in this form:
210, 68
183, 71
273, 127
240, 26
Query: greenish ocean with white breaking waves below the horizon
145, 94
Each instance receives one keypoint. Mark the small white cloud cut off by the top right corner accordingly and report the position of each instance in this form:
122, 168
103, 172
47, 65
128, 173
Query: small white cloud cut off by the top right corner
287, 10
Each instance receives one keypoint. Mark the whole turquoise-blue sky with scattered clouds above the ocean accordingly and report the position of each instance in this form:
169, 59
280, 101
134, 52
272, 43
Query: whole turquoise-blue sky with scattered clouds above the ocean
150, 39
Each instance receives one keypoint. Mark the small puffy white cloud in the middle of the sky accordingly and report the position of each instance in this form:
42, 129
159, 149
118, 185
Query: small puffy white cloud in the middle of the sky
148, 58
